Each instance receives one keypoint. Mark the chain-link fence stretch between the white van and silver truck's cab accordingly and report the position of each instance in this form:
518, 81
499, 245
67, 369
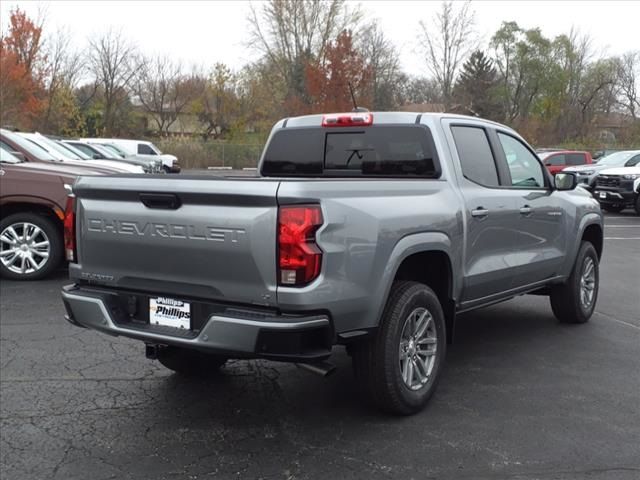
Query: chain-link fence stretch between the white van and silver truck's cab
198, 154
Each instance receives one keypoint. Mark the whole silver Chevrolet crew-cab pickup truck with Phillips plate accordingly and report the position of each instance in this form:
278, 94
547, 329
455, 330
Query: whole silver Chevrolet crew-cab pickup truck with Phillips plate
367, 230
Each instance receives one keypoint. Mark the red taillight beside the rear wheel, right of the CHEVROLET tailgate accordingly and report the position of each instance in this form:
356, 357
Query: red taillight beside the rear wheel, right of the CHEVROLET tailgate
299, 257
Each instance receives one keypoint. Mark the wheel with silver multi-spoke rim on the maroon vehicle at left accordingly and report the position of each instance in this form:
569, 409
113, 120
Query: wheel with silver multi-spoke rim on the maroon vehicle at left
29, 261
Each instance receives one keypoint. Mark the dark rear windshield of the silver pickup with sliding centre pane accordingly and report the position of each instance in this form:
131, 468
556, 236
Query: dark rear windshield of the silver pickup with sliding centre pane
384, 150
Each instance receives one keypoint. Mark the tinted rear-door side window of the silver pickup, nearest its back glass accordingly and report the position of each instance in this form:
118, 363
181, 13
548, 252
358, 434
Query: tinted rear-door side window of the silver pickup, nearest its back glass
476, 157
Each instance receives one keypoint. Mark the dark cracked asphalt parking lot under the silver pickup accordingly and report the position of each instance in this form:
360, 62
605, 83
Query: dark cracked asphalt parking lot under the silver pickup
522, 397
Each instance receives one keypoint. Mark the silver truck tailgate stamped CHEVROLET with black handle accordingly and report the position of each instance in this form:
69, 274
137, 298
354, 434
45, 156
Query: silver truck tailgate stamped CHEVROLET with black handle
197, 236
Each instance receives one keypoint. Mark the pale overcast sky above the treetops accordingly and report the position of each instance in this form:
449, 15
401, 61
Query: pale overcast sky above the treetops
202, 33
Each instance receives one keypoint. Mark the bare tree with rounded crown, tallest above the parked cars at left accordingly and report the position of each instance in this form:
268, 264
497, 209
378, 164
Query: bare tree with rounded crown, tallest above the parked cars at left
114, 63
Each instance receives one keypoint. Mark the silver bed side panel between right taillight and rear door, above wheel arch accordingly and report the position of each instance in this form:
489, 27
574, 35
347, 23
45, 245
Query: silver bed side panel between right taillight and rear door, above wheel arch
370, 227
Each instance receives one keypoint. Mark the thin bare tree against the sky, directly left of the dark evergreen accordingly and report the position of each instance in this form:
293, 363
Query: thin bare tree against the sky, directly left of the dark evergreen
447, 39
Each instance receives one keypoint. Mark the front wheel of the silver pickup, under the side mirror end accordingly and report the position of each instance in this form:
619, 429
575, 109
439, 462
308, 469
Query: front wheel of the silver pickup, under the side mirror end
567, 300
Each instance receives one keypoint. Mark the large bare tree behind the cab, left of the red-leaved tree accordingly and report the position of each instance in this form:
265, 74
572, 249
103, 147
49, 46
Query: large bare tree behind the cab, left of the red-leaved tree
292, 33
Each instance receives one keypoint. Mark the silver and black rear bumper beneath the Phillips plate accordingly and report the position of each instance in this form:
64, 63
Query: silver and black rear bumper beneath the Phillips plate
232, 332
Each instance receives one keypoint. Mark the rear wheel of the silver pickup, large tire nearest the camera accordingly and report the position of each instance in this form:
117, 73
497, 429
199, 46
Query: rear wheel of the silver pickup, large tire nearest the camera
378, 361
